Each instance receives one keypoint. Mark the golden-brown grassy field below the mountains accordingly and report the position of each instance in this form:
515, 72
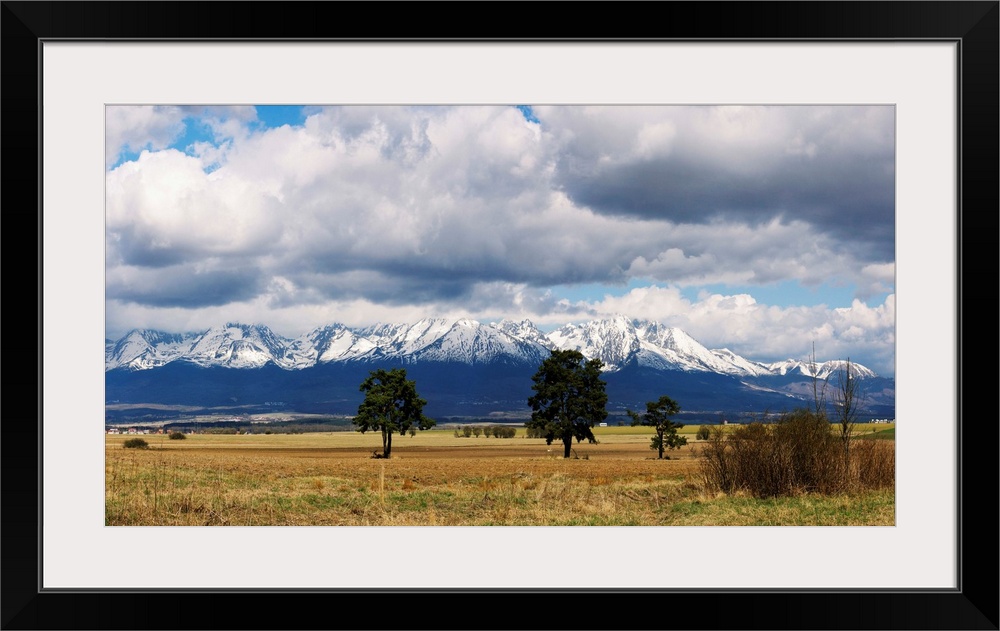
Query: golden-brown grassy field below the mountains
436, 479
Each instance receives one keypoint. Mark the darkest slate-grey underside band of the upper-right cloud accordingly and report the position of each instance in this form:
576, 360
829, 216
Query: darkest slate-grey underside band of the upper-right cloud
851, 200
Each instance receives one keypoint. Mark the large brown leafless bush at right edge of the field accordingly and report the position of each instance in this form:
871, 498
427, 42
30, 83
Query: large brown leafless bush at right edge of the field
797, 454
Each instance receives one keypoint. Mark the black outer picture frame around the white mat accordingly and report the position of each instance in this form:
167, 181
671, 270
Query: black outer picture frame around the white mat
972, 605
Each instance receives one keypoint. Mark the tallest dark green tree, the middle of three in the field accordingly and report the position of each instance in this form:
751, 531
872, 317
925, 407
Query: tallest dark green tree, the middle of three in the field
569, 398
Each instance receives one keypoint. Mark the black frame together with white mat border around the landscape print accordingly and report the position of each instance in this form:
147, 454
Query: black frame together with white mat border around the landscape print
932, 66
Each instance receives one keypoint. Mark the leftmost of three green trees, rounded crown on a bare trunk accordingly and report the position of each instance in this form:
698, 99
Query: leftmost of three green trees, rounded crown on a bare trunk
391, 405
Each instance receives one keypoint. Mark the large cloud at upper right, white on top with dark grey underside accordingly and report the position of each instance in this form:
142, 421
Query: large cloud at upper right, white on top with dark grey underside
830, 167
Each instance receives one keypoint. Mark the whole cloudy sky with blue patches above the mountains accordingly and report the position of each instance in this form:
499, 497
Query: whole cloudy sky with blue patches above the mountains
761, 229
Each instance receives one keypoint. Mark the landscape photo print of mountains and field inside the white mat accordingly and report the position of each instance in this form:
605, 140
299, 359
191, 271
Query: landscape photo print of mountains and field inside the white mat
511, 314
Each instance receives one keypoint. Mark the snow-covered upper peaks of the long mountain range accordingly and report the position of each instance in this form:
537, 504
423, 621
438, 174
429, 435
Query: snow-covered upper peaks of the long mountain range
619, 342
